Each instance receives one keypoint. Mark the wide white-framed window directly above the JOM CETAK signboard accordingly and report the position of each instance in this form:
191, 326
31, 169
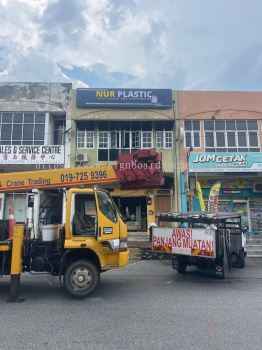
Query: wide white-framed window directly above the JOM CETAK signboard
231, 136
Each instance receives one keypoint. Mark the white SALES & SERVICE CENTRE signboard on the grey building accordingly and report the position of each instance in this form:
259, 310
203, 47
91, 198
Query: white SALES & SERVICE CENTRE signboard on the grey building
31, 154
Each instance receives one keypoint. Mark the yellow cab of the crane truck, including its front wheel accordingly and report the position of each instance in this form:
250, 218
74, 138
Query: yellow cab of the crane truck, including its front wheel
95, 234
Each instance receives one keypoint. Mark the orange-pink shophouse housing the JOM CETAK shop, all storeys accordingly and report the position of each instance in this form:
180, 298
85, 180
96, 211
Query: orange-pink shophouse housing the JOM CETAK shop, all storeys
222, 142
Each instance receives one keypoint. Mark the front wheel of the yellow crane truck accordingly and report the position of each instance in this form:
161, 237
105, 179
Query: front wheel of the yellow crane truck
81, 278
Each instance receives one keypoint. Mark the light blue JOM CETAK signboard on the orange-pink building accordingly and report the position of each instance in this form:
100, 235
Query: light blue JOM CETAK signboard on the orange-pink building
225, 162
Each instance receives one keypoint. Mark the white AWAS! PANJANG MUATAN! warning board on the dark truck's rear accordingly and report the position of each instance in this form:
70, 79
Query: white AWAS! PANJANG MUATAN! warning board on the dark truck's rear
185, 241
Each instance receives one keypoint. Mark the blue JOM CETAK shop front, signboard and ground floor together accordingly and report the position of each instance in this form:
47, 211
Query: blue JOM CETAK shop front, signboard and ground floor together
240, 175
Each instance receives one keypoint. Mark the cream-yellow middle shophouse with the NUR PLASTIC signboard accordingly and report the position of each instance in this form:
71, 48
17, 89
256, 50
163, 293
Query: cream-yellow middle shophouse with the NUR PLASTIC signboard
106, 122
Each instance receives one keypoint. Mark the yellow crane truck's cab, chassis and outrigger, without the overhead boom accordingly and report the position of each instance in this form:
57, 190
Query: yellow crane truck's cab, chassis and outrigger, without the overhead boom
92, 240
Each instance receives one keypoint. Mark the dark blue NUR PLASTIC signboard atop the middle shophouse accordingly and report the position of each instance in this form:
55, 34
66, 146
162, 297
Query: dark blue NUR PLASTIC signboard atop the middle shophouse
124, 98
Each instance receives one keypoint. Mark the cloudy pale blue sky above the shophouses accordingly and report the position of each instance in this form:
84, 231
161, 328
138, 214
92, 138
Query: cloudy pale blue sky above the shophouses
177, 44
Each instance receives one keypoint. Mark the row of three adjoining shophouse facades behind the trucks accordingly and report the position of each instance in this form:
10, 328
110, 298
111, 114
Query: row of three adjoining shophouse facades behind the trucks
203, 136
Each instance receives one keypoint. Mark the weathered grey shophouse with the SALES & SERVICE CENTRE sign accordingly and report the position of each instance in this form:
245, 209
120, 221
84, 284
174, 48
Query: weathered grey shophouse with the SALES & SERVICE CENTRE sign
32, 136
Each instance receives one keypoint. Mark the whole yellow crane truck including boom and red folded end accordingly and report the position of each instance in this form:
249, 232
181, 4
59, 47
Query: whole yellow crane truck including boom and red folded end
91, 238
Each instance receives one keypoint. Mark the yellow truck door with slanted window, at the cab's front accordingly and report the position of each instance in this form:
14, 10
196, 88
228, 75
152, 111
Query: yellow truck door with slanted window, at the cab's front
108, 222
